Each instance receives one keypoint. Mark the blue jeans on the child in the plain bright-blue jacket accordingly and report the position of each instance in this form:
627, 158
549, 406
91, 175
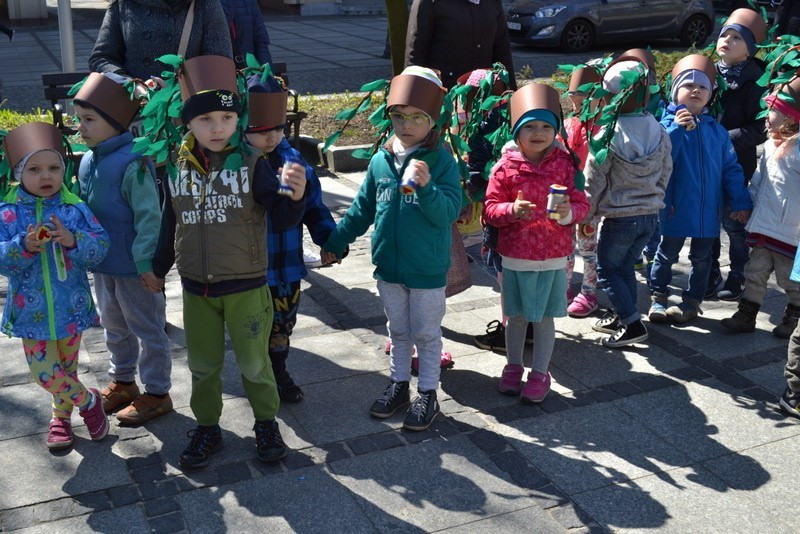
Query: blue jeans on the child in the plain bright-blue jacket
667, 256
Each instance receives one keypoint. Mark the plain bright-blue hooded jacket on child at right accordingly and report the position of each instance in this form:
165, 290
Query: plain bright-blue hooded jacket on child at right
705, 170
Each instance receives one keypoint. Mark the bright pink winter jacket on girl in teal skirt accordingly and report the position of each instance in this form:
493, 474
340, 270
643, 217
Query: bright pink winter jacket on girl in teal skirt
539, 238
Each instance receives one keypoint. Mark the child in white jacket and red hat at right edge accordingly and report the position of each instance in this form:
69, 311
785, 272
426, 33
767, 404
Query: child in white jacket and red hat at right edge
774, 226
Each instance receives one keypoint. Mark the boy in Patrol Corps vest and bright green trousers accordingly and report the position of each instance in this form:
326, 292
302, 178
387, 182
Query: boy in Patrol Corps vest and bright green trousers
214, 231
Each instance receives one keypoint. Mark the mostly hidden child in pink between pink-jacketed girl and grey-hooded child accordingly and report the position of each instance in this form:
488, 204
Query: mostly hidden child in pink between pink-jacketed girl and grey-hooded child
578, 132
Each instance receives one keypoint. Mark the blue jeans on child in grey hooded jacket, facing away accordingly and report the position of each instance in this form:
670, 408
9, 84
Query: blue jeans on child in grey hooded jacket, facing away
619, 244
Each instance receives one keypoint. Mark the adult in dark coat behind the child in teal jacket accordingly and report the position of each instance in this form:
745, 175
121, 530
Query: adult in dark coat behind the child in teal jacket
458, 36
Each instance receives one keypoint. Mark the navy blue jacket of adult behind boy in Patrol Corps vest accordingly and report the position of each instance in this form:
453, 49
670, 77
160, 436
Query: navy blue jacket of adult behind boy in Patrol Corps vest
248, 31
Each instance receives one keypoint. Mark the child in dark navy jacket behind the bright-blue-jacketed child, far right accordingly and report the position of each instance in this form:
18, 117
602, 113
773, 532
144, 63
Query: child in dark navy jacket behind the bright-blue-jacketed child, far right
741, 105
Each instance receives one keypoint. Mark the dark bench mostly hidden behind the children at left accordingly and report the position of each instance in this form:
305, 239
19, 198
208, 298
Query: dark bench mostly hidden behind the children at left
57, 85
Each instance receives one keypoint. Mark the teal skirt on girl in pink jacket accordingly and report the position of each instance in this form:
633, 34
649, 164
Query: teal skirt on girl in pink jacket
535, 294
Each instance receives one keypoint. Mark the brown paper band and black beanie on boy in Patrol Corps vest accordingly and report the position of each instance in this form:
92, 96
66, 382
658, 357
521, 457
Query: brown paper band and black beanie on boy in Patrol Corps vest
208, 83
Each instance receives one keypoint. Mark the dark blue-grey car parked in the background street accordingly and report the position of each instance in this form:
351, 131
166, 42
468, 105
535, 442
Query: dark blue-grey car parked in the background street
578, 24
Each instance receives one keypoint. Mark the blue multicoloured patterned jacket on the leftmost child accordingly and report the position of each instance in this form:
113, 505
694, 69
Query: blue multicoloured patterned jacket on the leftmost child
40, 305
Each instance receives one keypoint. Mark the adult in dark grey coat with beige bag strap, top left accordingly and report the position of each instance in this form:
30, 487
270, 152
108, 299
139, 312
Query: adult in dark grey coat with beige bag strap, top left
135, 33
